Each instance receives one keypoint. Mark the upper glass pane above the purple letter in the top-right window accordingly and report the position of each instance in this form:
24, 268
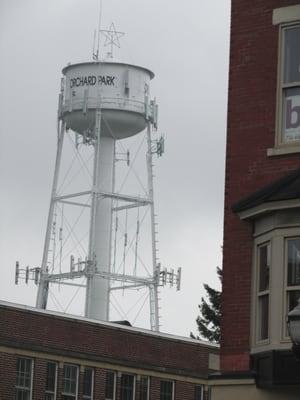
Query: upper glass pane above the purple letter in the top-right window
292, 55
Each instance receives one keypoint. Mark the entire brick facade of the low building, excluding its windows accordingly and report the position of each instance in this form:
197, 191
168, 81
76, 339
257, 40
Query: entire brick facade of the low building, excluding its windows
44, 335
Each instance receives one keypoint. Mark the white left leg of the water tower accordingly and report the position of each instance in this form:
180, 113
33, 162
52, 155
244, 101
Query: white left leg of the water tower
42, 295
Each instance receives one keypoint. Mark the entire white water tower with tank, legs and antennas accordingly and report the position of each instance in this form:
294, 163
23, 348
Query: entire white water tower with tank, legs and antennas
101, 103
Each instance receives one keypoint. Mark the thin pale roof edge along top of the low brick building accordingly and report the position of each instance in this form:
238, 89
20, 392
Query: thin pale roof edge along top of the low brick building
112, 325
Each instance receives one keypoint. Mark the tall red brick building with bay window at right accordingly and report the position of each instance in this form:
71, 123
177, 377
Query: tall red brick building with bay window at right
261, 267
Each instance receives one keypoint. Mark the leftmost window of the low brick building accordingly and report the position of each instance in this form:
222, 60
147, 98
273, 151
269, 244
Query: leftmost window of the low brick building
24, 379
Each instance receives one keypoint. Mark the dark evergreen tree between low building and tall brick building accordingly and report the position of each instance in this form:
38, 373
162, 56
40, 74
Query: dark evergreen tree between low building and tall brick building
209, 318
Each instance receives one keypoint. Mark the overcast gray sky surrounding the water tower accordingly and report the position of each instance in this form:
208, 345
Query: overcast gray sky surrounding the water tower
186, 45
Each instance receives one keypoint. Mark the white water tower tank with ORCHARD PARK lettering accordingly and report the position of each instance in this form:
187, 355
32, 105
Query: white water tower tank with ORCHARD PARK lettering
119, 89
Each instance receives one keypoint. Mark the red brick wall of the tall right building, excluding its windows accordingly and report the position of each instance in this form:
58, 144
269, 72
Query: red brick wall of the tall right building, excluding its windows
251, 131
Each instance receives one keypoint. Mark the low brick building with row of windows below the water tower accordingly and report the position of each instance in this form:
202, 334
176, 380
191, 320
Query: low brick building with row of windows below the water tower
52, 356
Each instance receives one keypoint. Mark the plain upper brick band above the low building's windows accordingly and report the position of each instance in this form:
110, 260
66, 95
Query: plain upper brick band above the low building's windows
29, 329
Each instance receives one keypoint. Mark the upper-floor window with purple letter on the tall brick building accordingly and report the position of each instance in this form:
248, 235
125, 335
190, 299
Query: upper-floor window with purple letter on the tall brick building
289, 85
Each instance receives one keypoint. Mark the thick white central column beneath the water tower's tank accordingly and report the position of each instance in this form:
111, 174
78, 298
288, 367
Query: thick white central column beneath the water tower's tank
97, 293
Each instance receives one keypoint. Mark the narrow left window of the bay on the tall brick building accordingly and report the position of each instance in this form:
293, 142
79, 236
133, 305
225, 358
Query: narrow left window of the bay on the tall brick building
263, 290
